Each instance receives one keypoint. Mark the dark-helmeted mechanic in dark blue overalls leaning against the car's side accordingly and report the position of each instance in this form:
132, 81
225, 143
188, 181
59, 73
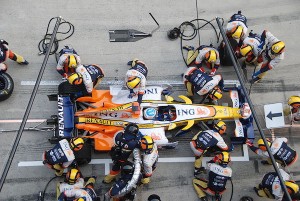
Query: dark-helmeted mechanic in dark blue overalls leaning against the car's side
125, 142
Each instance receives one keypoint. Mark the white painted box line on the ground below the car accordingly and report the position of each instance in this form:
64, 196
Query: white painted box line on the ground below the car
107, 162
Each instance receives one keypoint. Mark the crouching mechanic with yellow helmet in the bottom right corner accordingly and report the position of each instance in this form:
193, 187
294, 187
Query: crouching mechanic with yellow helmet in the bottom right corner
270, 187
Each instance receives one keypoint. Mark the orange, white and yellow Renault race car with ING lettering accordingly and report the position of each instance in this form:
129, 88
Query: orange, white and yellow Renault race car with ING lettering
101, 115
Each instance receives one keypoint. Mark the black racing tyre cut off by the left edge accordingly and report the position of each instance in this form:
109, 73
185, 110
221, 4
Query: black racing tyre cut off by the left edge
6, 86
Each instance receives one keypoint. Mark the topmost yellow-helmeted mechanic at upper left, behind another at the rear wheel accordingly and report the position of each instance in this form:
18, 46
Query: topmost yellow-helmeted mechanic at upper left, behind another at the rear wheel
67, 62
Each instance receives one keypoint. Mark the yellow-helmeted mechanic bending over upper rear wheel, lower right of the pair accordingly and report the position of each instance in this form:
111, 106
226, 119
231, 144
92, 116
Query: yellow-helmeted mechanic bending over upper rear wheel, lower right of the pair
86, 77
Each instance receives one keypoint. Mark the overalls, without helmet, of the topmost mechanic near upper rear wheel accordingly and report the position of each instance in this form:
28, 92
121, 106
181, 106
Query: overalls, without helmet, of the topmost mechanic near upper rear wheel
62, 67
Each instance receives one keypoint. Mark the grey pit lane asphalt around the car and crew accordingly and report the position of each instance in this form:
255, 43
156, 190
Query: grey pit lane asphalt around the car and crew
24, 24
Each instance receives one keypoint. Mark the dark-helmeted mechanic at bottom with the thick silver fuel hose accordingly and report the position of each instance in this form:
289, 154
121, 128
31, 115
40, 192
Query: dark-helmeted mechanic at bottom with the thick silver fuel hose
125, 187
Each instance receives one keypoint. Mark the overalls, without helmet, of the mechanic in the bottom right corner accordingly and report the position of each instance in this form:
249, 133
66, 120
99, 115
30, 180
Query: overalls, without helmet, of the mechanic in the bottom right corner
270, 186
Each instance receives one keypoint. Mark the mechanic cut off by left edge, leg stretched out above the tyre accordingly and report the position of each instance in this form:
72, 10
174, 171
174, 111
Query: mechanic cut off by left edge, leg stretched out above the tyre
5, 53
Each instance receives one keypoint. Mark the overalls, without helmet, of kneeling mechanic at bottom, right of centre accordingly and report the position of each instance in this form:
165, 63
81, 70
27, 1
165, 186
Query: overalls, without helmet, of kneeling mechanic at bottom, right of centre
217, 179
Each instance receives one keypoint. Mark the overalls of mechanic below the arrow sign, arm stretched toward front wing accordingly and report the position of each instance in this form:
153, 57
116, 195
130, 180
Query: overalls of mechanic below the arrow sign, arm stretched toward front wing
282, 153
